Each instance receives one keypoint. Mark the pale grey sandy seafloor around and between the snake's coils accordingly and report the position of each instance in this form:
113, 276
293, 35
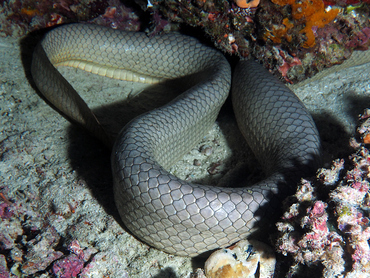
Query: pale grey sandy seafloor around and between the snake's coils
58, 176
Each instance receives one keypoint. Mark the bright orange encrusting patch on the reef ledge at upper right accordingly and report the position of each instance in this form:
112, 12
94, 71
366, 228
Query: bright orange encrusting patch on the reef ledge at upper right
311, 13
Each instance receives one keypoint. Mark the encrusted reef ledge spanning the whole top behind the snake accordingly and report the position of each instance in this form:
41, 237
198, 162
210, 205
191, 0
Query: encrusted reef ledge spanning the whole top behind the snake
315, 34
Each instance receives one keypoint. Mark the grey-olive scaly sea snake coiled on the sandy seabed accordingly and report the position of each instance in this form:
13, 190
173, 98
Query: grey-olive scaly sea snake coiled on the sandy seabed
168, 213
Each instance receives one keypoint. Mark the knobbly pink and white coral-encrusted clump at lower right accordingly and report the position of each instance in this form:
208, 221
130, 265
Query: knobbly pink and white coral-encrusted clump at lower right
327, 222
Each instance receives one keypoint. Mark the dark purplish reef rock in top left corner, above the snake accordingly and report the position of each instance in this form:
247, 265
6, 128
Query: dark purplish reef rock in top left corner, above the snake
21, 17
